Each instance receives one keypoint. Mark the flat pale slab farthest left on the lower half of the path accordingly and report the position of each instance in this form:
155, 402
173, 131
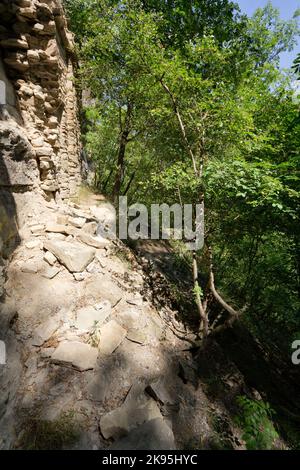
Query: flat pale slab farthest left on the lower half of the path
82, 356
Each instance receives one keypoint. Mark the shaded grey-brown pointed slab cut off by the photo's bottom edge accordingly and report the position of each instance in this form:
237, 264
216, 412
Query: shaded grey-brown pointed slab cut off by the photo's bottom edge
152, 435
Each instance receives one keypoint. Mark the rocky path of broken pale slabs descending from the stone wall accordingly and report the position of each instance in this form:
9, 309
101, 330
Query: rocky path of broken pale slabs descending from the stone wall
90, 361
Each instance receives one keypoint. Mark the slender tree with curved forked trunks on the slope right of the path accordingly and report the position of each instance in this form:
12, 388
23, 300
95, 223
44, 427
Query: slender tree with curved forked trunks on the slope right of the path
216, 116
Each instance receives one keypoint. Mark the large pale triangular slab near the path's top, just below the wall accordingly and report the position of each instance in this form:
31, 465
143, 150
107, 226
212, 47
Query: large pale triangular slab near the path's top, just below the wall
74, 256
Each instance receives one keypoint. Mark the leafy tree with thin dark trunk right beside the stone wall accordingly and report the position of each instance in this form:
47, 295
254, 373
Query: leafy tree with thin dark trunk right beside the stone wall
115, 31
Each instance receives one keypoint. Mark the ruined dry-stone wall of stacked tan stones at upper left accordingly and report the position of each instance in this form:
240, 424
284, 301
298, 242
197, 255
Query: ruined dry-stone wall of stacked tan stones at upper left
39, 130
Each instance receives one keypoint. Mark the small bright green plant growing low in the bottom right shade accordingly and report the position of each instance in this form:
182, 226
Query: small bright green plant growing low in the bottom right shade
255, 420
